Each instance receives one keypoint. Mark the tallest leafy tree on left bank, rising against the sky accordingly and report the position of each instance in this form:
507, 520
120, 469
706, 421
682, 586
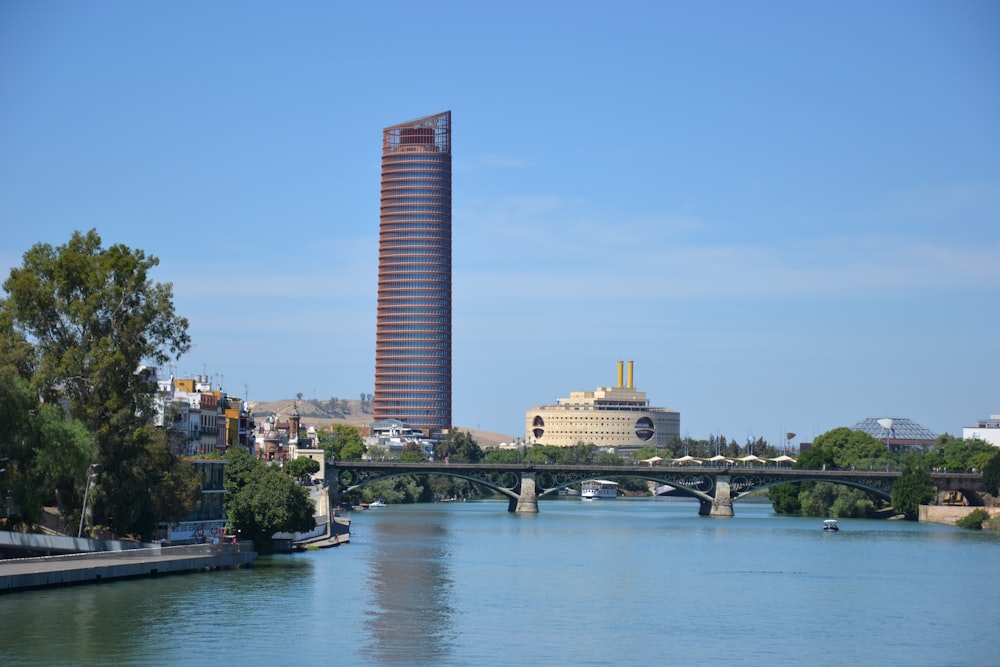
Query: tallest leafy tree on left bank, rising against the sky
94, 318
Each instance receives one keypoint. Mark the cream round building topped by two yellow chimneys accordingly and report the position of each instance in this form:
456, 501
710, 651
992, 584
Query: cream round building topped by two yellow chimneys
607, 417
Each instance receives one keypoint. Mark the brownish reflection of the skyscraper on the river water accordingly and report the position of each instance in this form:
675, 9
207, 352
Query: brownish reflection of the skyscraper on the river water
412, 593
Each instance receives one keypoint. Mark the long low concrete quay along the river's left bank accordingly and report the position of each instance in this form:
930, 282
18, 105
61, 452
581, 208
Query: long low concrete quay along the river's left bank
27, 573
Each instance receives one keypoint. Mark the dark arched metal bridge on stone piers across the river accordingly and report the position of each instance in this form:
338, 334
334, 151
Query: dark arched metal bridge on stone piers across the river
715, 487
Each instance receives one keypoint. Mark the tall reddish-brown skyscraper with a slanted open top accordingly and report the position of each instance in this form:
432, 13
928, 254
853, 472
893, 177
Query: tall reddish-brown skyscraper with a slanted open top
413, 332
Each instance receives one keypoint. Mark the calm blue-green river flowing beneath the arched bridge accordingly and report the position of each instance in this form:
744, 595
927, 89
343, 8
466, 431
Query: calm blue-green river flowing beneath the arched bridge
628, 581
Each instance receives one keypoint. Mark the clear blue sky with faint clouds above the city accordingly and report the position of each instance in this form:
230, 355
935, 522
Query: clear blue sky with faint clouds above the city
786, 213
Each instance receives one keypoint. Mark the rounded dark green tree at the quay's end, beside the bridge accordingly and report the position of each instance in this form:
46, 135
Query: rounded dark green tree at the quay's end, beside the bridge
261, 500
